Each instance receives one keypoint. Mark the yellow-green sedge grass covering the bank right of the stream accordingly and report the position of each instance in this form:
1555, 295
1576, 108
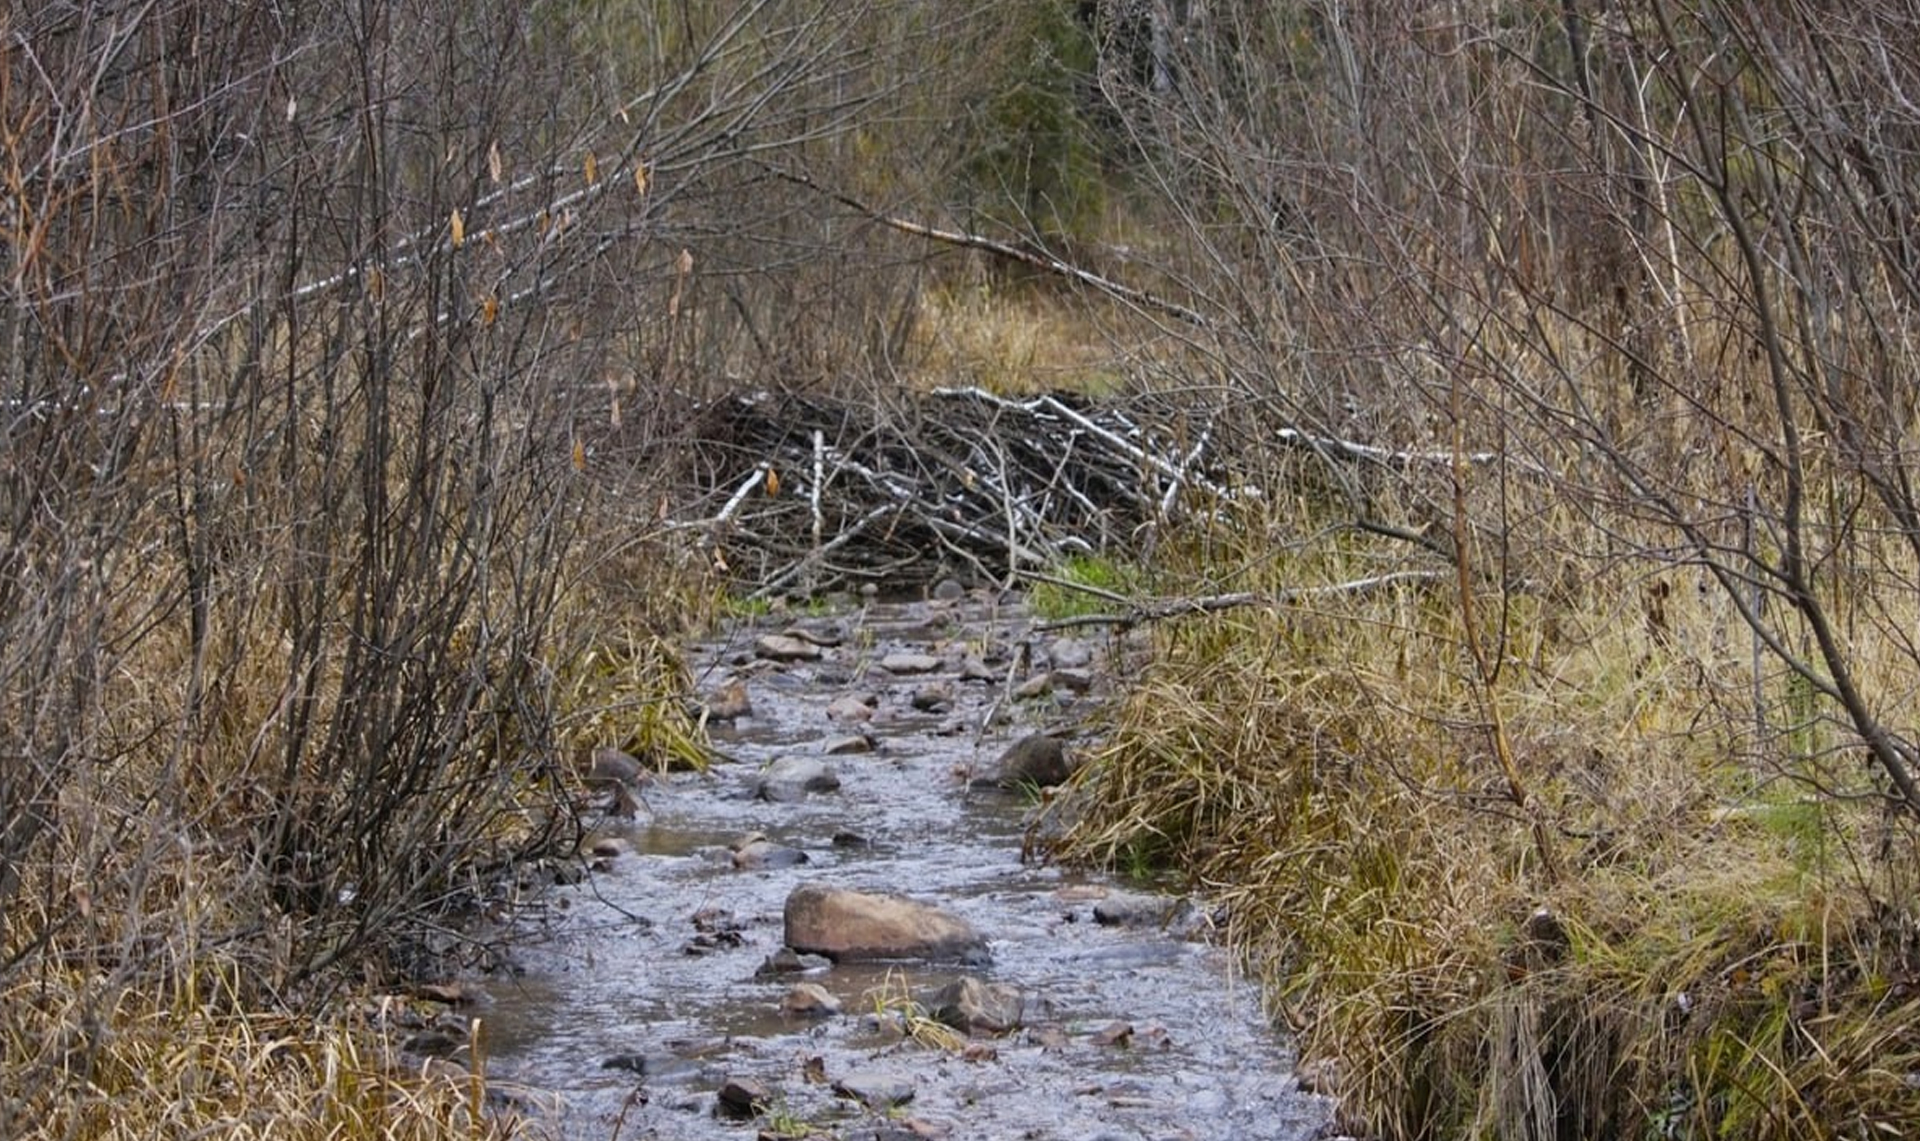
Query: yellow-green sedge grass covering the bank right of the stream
1326, 771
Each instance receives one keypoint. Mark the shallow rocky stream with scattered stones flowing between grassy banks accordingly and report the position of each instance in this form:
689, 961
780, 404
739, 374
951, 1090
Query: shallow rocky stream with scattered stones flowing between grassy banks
836, 935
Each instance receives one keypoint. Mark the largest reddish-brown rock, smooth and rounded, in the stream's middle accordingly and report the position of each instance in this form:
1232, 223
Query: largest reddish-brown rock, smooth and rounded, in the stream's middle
865, 925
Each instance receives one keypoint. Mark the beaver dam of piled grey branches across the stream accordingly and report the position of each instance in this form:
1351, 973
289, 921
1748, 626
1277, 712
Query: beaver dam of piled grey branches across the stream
809, 493
